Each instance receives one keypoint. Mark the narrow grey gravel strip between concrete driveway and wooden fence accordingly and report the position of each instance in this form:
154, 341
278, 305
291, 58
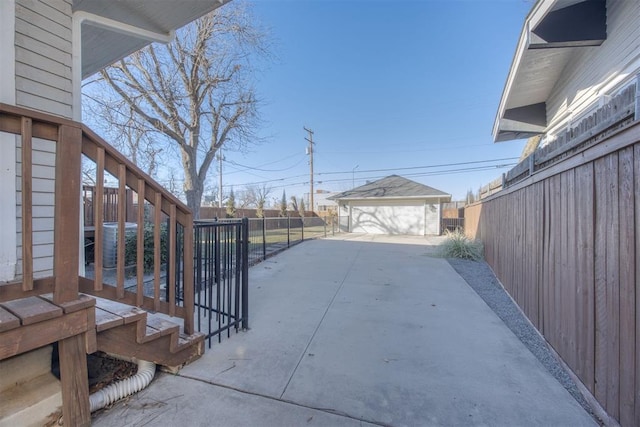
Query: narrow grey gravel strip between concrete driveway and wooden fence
480, 277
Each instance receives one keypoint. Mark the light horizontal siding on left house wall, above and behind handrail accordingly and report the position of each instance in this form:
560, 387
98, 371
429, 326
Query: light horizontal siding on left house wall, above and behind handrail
43, 82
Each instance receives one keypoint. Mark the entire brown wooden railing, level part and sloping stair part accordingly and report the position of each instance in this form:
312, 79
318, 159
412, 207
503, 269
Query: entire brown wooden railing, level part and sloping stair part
73, 140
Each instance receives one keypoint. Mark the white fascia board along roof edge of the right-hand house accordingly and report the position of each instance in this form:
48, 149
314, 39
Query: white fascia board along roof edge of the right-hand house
538, 12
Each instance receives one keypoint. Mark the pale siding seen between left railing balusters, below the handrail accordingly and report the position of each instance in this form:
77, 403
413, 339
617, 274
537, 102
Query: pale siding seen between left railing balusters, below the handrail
43, 174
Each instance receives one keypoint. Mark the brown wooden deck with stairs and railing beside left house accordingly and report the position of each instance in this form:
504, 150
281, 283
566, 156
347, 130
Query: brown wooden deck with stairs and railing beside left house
37, 311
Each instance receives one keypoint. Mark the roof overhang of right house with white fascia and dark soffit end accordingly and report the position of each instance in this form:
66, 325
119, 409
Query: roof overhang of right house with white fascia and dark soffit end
552, 31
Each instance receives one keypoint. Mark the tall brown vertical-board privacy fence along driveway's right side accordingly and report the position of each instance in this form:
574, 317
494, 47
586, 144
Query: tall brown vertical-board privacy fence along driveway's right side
565, 243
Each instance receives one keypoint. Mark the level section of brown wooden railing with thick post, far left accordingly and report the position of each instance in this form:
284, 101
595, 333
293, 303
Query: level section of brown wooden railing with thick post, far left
67, 136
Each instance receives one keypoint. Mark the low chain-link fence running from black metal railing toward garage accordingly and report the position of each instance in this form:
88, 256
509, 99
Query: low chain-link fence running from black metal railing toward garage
268, 236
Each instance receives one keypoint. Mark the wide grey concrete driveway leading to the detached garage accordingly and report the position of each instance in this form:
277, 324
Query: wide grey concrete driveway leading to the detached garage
359, 330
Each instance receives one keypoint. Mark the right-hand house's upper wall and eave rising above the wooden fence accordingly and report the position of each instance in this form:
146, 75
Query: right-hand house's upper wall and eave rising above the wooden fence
573, 57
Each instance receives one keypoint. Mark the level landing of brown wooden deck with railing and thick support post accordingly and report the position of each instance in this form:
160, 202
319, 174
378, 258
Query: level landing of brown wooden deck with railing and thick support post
70, 321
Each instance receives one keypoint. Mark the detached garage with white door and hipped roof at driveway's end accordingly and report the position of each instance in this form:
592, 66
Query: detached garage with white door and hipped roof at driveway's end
391, 205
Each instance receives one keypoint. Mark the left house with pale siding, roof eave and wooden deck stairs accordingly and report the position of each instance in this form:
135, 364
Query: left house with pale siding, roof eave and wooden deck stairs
47, 49
